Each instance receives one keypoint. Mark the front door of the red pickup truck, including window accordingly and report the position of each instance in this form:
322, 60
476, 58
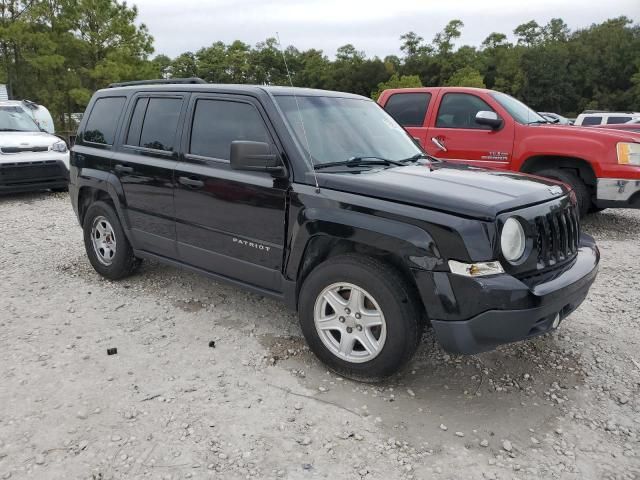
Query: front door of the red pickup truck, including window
457, 137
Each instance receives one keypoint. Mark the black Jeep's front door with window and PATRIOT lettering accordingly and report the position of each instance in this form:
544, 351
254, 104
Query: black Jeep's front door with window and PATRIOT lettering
228, 222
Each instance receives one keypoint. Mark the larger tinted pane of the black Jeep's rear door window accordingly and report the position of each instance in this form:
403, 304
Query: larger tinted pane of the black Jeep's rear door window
160, 123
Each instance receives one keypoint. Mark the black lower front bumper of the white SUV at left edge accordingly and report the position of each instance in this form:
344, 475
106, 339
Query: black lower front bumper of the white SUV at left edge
25, 176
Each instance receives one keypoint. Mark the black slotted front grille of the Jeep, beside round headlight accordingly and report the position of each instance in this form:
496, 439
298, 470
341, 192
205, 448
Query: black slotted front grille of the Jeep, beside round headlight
558, 233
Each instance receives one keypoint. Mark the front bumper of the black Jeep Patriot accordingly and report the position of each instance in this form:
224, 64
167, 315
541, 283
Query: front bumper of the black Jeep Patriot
508, 309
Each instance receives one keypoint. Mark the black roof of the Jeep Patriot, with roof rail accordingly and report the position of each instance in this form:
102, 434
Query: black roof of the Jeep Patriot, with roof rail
255, 90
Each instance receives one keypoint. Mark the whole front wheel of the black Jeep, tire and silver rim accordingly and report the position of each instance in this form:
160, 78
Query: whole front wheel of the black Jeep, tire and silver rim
360, 317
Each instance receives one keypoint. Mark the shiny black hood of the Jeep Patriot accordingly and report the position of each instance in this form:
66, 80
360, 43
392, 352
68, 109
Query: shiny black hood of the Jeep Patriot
458, 189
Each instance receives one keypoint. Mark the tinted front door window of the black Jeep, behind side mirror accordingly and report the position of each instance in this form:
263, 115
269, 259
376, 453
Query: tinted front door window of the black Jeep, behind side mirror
217, 123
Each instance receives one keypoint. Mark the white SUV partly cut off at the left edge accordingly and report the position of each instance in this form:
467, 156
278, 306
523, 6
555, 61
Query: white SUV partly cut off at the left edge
30, 159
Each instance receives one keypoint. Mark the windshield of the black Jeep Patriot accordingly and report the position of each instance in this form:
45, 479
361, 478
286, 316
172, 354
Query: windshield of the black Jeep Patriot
339, 129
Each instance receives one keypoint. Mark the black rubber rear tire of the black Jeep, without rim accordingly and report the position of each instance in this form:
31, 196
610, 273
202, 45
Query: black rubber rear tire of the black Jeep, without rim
123, 263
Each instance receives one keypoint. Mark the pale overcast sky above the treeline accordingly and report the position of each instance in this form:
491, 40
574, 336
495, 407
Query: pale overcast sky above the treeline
372, 26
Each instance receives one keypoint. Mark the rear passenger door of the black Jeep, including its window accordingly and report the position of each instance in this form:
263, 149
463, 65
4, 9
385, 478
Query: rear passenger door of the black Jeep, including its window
144, 164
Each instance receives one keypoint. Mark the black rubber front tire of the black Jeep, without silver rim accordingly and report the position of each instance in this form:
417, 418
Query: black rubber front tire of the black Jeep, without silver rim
397, 301
